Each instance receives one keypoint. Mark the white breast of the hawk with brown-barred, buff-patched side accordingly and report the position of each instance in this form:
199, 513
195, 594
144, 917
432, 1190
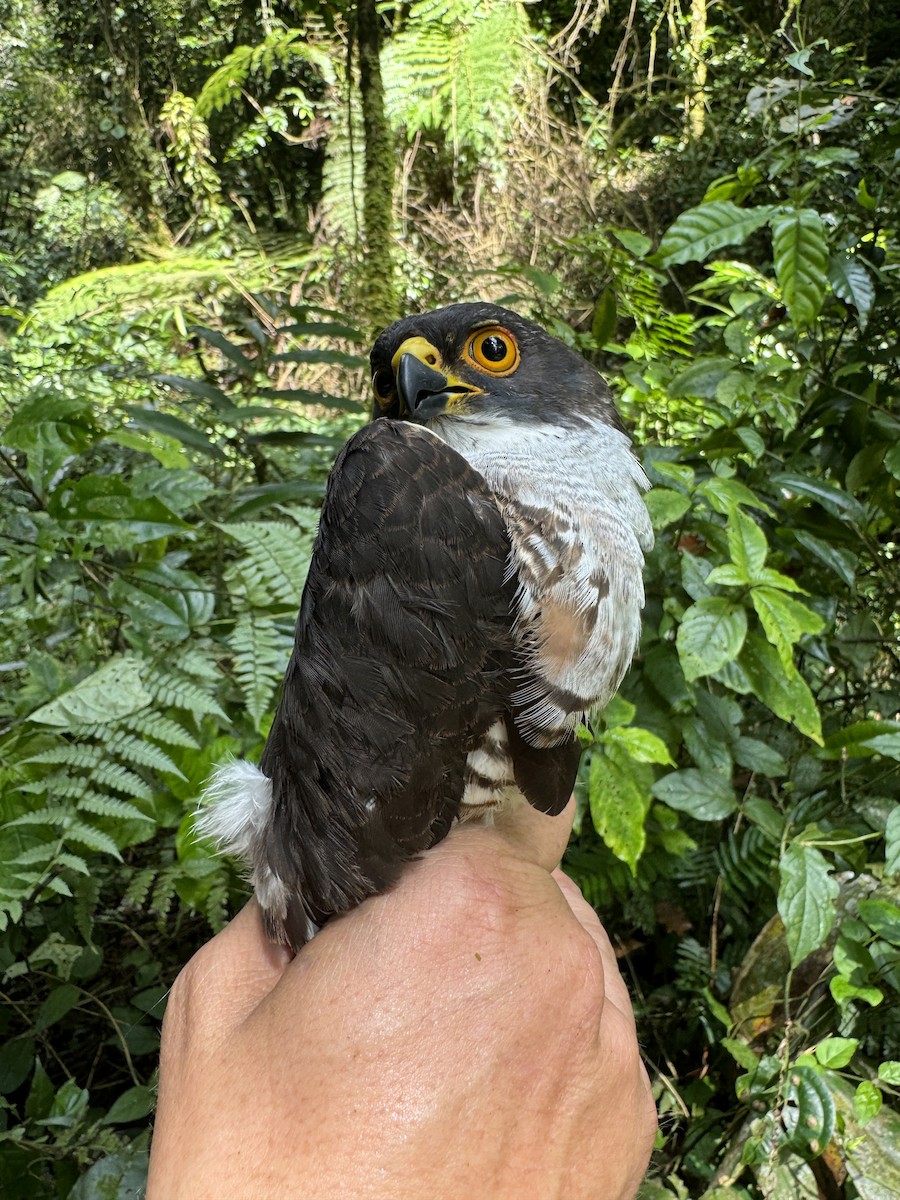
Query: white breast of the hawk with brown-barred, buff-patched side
574, 508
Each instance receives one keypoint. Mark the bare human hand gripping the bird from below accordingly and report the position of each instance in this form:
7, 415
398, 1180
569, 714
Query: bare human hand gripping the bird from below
467, 1035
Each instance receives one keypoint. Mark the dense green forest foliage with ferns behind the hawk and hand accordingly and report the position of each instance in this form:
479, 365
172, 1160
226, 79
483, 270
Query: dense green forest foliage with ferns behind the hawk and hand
207, 209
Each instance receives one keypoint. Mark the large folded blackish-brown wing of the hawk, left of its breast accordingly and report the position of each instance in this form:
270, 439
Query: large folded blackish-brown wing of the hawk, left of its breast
401, 661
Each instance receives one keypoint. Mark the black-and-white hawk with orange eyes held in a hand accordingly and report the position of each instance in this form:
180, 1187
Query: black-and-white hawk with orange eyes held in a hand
475, 591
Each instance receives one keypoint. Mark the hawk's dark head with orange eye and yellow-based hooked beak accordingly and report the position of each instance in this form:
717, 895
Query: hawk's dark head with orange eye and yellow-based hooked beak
483, 364
